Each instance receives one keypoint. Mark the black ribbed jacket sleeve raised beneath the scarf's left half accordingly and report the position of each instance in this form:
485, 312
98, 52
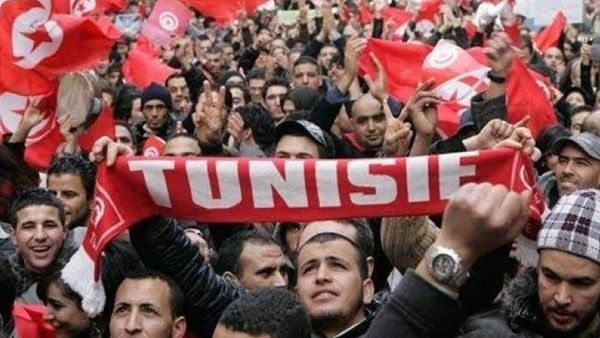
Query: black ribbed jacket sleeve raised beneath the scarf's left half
163, 246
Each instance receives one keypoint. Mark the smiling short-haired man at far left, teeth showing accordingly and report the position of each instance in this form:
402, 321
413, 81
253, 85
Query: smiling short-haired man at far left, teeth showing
39, 232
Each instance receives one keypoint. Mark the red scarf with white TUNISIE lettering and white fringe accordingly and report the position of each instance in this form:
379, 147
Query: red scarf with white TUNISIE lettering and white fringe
261, 190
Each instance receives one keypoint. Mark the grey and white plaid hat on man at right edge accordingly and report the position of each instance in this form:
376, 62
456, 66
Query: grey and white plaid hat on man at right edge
573, 225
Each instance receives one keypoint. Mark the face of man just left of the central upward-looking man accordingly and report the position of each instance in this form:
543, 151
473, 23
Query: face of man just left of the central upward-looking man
263, 265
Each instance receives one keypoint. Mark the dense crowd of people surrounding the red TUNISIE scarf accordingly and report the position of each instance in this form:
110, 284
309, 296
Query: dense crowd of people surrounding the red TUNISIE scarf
257, 87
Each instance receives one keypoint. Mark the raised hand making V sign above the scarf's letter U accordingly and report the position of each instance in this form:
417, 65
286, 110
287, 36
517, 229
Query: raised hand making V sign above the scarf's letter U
208, 118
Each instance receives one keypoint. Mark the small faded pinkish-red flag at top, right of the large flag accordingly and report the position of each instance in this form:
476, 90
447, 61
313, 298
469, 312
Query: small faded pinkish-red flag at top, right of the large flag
168, 18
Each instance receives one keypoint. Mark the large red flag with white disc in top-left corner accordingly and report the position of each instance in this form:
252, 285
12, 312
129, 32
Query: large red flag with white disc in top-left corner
37, 46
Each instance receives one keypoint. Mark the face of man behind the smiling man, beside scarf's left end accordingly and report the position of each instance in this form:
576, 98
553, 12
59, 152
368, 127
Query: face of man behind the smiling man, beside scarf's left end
70, 190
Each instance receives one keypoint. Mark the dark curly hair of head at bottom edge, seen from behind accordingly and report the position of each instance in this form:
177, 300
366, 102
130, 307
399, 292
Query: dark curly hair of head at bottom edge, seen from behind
274, 311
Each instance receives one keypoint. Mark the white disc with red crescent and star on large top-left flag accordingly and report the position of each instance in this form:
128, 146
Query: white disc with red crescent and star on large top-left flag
34, 36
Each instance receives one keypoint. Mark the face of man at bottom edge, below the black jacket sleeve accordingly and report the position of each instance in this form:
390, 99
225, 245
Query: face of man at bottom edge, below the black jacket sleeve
142, 309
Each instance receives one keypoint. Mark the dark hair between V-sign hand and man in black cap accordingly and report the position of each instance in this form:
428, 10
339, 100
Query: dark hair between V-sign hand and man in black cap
262, 124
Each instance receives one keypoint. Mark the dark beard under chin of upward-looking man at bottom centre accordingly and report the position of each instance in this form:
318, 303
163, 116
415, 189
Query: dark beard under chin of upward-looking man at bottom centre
339, 319
